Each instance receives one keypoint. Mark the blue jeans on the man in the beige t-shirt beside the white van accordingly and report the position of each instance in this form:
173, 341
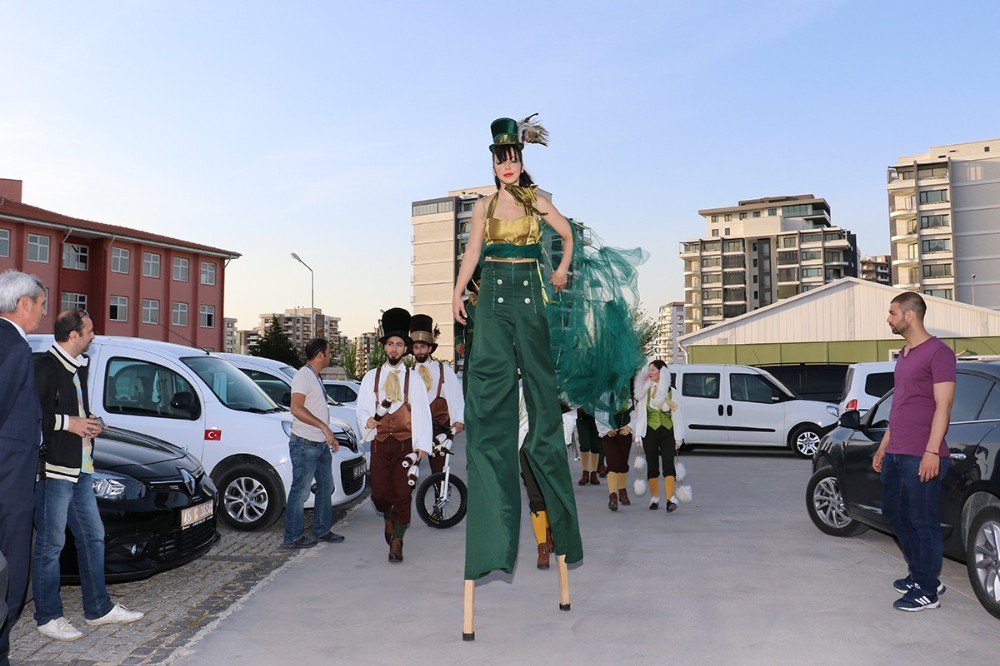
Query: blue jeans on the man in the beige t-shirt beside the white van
309, 460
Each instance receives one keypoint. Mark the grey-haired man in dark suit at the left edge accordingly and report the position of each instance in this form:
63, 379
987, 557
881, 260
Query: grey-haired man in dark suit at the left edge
22, 303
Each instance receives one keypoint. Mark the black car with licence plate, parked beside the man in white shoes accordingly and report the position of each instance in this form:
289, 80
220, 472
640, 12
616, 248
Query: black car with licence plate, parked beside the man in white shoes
156, 502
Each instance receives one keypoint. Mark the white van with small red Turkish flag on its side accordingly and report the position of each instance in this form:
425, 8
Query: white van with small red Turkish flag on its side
201, 403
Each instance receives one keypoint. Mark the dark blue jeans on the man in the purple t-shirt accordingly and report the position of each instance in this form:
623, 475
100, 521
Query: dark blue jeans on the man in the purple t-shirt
912, 509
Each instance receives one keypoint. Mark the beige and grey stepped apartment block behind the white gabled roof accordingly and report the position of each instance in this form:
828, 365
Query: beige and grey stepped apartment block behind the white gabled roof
760, 251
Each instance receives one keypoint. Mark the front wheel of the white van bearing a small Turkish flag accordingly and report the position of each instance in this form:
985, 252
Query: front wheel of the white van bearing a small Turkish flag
250, 498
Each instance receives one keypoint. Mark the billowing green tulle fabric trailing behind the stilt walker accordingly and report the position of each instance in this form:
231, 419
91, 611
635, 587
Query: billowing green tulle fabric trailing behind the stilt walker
594, 344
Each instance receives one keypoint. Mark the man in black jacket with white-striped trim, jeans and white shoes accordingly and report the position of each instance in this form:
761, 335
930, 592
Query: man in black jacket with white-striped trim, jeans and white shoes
65, 496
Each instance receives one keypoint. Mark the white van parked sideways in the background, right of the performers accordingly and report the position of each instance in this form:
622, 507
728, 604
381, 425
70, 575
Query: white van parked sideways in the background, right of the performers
739, 405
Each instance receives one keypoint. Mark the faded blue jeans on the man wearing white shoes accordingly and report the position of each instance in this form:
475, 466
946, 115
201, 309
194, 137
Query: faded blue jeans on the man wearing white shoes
59, 504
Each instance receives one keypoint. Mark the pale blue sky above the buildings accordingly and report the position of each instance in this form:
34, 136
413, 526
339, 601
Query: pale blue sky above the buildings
269, 128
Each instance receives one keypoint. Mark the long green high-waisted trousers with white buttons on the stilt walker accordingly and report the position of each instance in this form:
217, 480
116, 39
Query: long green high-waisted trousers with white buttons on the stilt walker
512, 334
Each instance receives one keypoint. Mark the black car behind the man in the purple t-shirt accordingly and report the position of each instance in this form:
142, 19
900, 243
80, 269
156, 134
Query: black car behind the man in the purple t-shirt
844, 495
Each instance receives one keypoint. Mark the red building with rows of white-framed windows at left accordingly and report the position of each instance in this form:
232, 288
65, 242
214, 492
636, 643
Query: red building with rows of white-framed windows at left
132, 282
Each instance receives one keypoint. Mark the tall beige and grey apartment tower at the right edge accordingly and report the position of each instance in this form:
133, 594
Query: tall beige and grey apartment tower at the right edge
944, 222
